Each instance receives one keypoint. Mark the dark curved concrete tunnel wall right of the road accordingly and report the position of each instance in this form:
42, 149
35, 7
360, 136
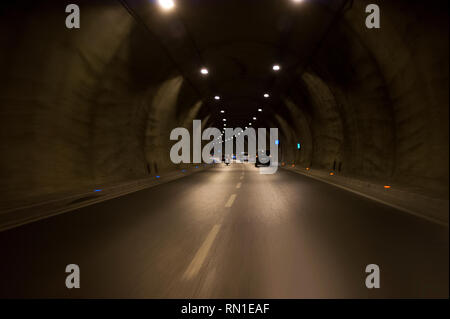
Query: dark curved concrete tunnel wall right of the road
384, 93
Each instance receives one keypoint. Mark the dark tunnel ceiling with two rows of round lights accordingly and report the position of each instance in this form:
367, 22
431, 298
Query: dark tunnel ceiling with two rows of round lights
239, 42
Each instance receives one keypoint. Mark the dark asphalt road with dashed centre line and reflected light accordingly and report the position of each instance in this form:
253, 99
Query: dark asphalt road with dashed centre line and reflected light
228, 232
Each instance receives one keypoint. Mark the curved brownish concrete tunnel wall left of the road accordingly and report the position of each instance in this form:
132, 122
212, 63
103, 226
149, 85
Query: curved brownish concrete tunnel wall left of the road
87, 107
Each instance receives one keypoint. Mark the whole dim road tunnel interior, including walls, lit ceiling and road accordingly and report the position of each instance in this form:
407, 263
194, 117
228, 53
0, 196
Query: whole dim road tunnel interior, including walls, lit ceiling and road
88, 106
